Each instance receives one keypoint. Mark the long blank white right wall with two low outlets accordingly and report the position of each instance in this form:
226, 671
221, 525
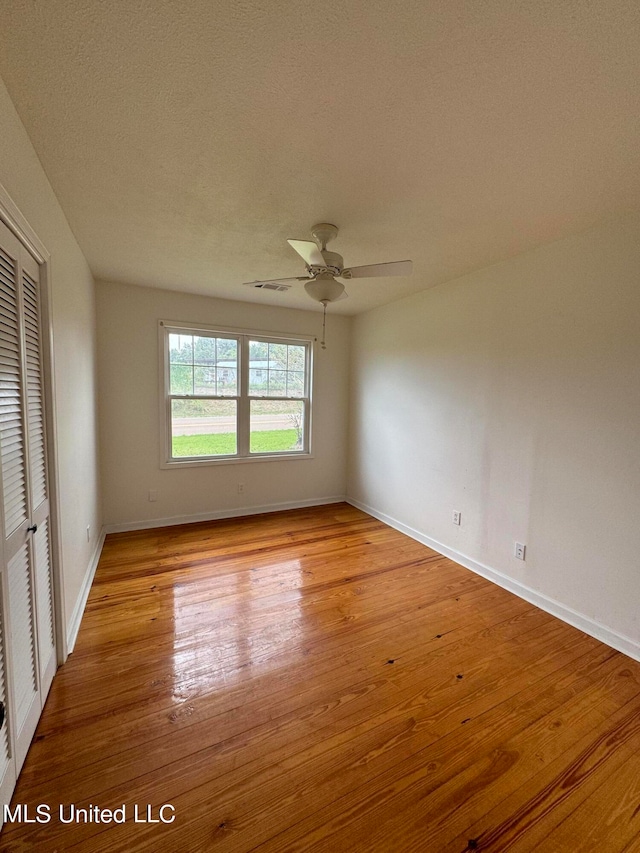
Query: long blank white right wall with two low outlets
513, 395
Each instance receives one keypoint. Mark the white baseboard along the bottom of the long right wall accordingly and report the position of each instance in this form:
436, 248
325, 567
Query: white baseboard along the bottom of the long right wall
607, 635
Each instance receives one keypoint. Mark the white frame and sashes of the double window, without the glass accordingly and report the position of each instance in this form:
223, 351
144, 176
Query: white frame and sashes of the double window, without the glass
243, 425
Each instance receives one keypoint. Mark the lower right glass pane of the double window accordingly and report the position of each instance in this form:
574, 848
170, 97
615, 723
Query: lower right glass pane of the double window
277, 426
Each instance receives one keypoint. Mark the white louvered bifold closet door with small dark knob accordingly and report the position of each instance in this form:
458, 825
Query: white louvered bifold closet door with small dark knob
27, 635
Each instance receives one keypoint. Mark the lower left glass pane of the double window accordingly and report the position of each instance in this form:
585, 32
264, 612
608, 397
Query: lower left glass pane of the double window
203, 428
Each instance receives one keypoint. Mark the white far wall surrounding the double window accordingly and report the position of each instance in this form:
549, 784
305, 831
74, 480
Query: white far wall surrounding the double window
129, 412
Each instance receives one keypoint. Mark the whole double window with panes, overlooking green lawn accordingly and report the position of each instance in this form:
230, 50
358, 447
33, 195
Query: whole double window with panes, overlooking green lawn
230, 395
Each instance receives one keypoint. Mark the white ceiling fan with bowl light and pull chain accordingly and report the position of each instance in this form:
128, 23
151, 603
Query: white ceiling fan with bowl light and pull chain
324, 268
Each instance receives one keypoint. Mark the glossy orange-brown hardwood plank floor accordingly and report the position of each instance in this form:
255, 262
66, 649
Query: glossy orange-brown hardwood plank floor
316, 681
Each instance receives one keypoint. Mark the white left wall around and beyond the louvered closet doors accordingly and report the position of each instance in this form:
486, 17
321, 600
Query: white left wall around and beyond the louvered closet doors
73, 312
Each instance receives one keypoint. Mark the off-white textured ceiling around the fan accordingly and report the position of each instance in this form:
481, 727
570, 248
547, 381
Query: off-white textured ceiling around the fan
186, 141
